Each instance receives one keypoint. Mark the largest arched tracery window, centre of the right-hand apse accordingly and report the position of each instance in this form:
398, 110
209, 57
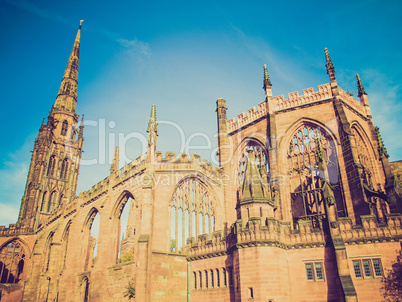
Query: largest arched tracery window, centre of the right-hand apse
308, 173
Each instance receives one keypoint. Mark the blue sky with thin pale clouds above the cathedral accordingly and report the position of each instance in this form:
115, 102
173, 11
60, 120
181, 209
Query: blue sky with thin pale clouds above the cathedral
182, 56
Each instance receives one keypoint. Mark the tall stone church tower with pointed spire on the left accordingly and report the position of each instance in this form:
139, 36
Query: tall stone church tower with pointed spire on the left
53, 173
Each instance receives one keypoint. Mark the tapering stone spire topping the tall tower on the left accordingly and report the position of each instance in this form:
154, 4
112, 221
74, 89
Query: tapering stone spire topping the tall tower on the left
67, 96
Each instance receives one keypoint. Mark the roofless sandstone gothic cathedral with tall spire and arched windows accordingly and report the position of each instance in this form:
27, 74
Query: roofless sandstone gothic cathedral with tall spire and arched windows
304, 206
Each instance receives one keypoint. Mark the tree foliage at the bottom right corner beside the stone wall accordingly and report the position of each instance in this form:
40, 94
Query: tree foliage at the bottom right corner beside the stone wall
392, 283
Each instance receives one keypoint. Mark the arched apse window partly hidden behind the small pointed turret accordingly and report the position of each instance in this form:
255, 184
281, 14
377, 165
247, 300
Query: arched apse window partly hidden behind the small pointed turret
261, 158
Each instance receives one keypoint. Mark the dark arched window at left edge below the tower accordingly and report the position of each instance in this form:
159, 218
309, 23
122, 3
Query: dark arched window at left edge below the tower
12, 261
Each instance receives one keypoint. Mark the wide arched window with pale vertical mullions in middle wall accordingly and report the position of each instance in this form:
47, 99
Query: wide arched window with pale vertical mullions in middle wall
192, 213
